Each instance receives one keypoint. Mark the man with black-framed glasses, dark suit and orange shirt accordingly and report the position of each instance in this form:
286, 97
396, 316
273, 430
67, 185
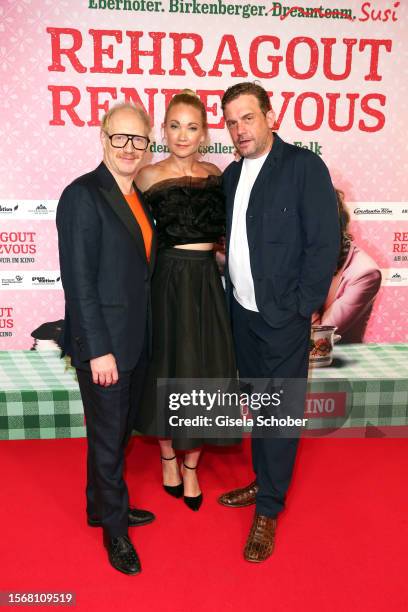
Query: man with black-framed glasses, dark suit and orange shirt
107, 246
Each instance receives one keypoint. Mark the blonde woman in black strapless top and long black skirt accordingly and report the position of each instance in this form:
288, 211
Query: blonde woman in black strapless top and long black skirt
191, 333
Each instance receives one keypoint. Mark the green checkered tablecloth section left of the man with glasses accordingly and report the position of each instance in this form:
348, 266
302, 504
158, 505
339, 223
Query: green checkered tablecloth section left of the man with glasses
39, 397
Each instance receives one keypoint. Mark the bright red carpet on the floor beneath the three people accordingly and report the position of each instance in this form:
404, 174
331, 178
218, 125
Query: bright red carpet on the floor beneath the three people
341, 543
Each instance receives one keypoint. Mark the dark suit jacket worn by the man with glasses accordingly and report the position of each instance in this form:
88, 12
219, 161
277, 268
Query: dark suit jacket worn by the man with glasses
104, 271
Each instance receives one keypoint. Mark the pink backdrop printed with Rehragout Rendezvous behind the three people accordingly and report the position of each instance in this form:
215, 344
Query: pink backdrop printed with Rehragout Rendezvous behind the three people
337, 78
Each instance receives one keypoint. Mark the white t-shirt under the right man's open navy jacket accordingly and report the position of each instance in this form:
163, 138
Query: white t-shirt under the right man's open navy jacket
238, 256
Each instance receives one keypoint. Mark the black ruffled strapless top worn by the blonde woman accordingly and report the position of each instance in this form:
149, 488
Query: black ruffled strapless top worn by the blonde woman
187, 209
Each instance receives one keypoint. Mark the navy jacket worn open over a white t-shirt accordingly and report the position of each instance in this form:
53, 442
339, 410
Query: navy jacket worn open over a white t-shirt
293, 232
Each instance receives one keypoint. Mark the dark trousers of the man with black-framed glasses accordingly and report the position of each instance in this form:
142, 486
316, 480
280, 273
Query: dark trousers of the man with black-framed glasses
110, 415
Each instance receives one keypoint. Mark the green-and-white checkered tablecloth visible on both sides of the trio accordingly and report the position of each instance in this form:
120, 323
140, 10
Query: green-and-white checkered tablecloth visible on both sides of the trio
39, 394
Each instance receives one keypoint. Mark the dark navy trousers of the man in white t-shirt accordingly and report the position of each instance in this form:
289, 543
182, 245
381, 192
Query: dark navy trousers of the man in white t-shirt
265, 352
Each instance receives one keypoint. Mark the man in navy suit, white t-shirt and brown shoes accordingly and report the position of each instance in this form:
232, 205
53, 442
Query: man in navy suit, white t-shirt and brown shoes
281, 251
